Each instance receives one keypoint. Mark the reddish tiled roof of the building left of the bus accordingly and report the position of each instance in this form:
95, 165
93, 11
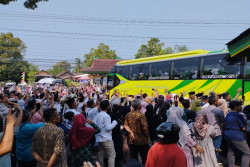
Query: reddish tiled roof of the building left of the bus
100, 66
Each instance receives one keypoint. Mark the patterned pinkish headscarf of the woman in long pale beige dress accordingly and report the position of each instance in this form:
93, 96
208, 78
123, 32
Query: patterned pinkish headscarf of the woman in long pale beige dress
201, 125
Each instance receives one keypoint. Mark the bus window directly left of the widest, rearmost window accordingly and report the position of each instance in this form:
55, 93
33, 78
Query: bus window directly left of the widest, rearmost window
186, 68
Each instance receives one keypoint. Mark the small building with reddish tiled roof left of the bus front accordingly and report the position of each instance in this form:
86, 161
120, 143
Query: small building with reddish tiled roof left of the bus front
99, 68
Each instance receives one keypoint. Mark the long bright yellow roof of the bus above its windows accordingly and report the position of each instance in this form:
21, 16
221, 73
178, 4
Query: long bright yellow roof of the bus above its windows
165, 57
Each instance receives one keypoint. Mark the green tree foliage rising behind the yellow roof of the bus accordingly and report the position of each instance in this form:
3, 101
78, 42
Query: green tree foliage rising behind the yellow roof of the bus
154, 48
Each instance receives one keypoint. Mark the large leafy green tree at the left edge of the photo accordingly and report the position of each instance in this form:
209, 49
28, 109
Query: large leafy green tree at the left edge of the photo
12, 62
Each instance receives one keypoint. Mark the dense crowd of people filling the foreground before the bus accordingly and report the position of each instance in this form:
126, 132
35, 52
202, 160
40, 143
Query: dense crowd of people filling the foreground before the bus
52, 125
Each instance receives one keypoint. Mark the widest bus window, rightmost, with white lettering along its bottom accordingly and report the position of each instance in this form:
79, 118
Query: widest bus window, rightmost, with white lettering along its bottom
221, 66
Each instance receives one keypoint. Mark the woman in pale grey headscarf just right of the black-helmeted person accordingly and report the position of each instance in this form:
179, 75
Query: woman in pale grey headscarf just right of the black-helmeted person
185, 140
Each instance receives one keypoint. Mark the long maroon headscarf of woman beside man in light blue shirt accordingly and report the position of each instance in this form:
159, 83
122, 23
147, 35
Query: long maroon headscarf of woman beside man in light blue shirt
80, 134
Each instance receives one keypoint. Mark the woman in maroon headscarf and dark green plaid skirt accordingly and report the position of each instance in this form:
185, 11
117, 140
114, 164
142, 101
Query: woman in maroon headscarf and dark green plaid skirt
79, 138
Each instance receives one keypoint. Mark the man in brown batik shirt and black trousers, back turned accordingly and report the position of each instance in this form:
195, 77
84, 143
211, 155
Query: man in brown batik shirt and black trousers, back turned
136, 124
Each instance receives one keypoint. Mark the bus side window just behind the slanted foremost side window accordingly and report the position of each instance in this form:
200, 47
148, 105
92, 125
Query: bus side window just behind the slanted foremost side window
139, 72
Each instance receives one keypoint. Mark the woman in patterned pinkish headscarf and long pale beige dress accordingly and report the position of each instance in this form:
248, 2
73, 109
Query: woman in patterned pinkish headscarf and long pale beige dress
204, 134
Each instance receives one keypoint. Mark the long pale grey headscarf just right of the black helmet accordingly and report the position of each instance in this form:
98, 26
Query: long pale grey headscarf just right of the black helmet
175, 116
